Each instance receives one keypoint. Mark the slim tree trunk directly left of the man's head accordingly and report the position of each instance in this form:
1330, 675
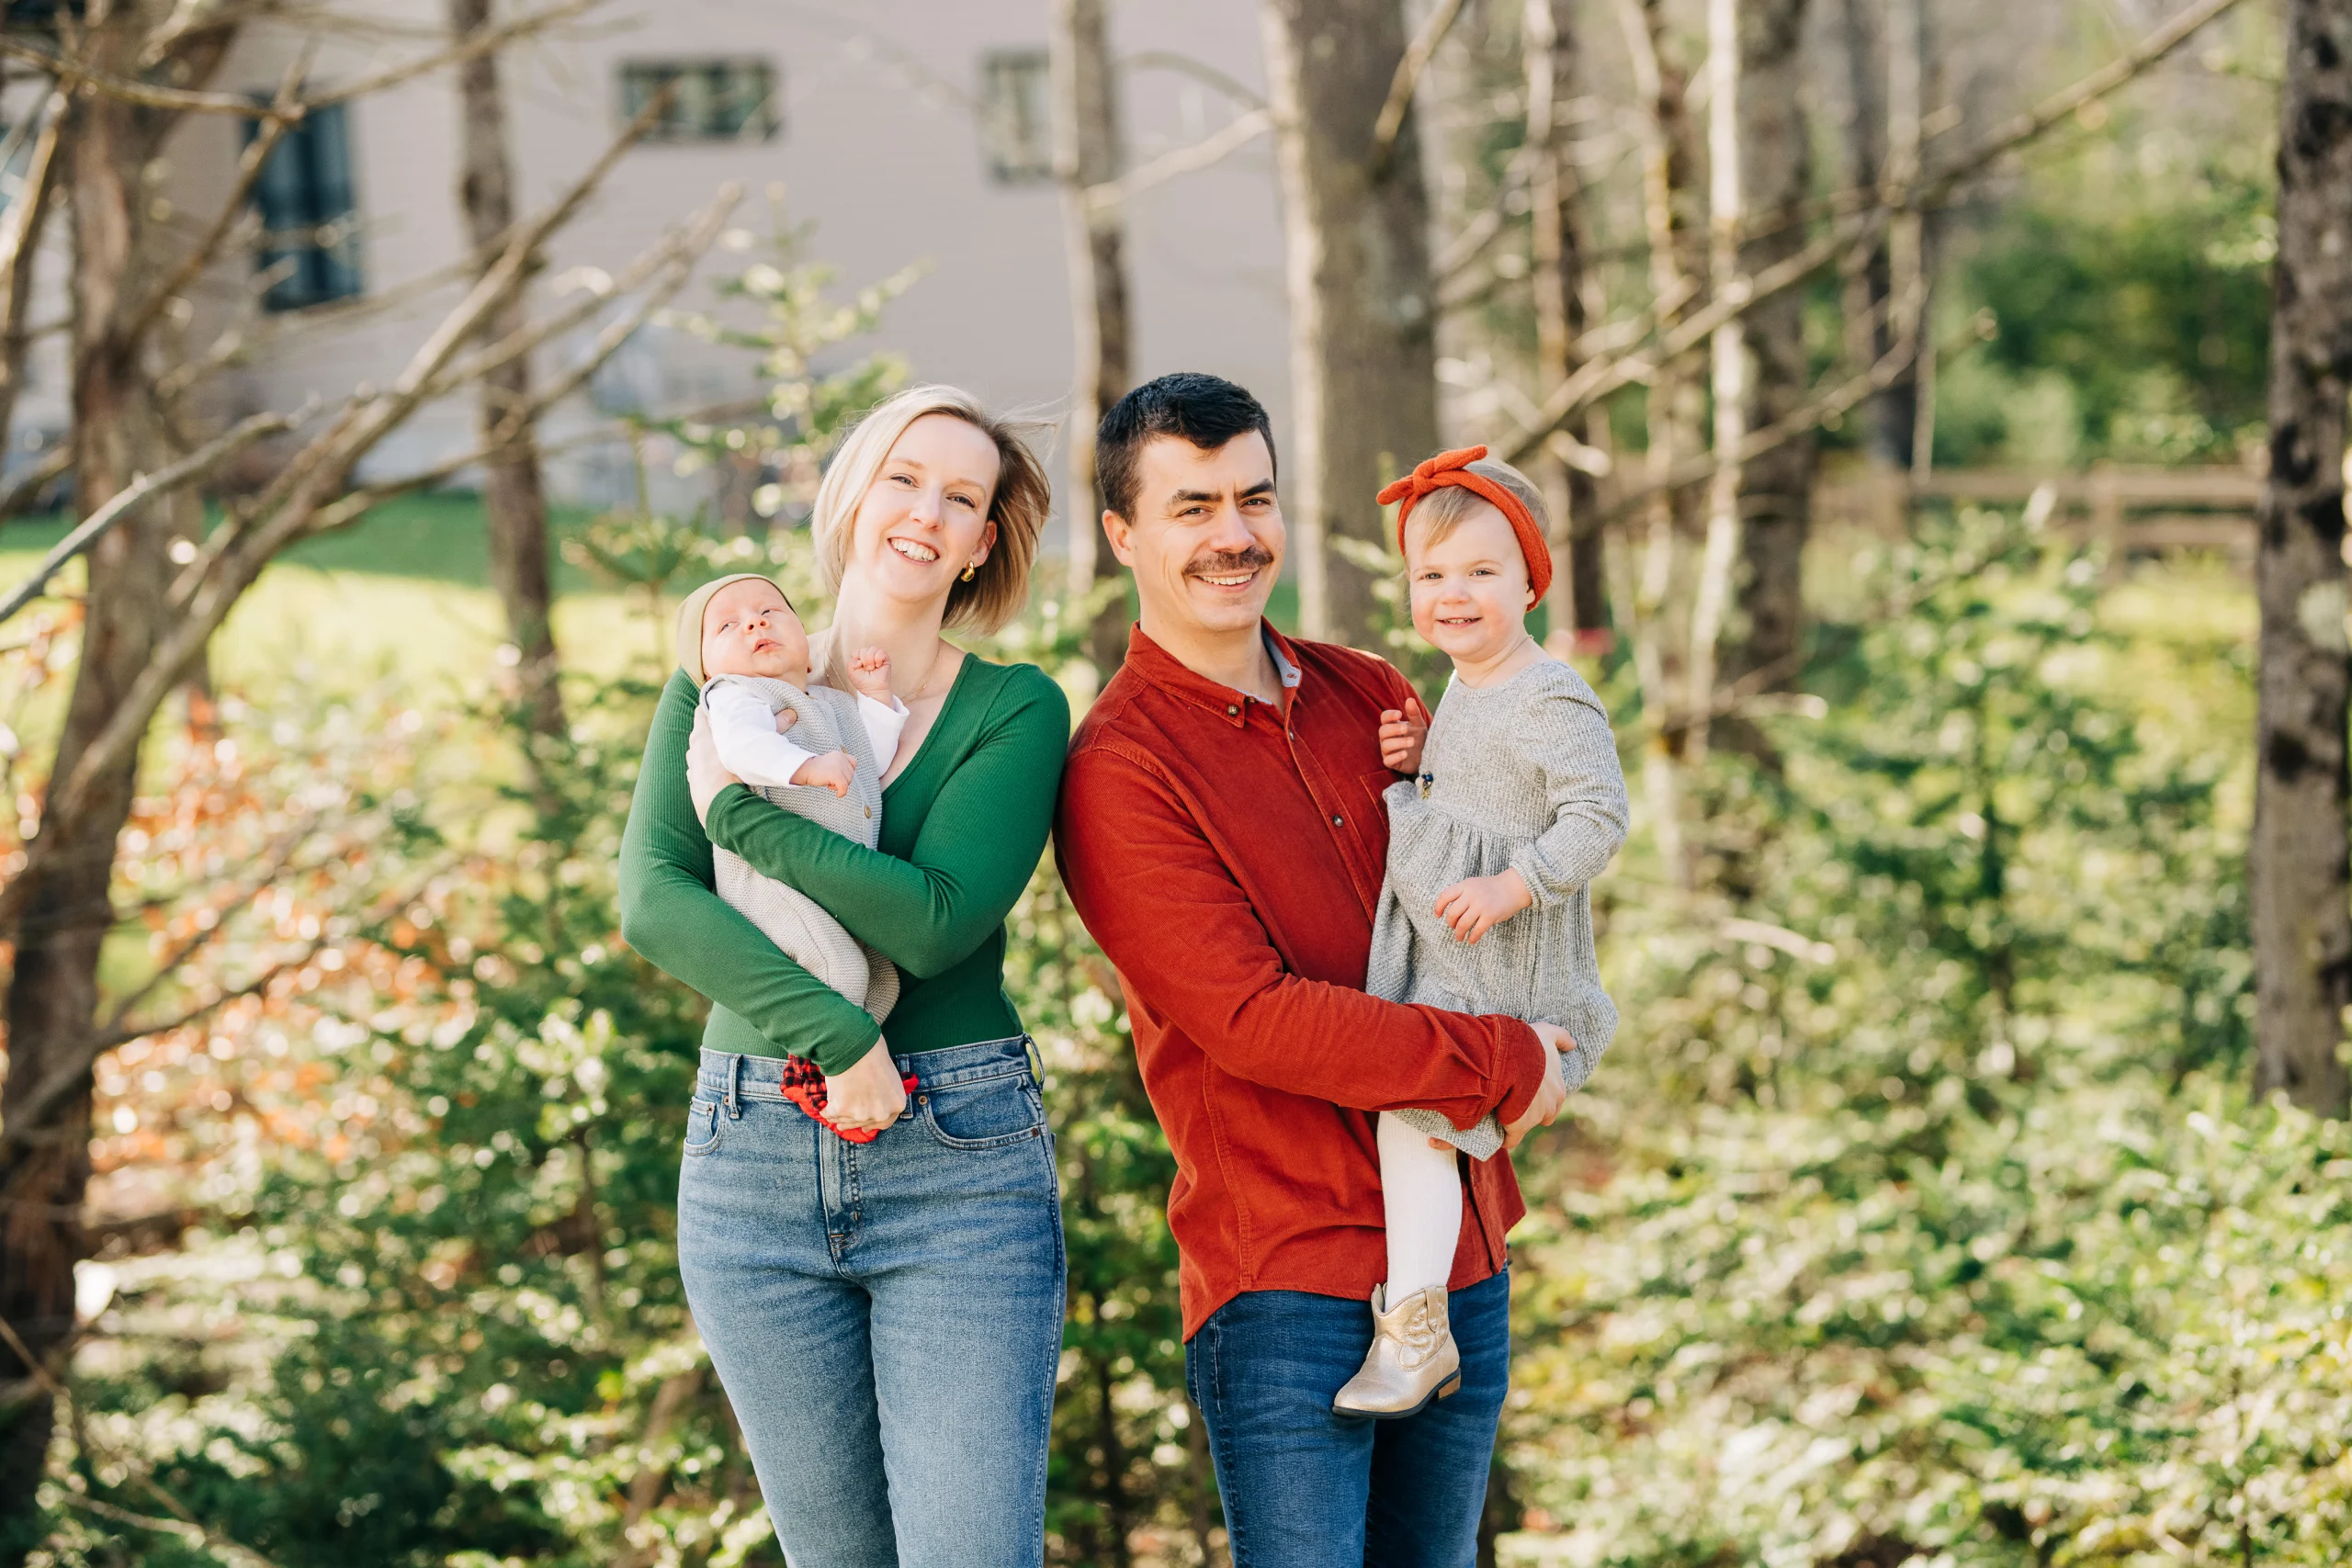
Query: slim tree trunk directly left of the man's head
1085, 156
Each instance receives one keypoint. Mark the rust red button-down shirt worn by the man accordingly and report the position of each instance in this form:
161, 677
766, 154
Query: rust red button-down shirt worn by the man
1227, 855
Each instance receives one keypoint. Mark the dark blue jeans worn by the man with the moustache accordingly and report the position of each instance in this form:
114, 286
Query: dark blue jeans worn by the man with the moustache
1309, 1489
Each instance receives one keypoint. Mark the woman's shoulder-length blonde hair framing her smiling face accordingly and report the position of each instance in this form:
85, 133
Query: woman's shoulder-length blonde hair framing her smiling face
1017, 507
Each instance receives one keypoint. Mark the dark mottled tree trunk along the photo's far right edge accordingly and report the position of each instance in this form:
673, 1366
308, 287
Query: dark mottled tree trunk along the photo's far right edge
2299, 857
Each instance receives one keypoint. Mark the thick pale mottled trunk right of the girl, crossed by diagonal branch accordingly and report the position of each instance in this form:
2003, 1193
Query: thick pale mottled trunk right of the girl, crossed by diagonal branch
1777, 488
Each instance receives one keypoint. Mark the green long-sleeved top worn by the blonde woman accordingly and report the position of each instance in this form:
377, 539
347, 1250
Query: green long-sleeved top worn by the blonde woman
963, 829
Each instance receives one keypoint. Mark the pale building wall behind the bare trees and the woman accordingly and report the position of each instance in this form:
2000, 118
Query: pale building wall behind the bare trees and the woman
878, 147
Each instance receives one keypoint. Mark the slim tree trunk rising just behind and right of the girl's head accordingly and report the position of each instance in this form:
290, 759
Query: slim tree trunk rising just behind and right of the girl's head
1579, 601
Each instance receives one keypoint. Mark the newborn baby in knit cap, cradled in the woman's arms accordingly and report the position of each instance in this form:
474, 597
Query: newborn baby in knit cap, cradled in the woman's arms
813, 751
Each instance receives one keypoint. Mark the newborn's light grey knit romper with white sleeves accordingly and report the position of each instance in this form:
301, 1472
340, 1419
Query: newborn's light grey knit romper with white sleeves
799, 925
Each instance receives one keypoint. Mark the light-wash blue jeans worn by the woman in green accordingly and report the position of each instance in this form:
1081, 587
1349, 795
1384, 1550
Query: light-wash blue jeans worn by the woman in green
886, 1318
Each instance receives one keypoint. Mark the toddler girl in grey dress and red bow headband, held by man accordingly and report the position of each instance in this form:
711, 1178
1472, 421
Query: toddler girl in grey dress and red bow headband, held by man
1516, 808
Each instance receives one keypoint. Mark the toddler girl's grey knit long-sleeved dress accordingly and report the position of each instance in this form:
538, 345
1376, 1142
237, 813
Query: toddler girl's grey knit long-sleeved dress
1521, 777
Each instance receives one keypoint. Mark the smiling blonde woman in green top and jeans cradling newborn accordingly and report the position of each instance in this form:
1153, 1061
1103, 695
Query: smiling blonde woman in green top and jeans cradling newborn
883, 1315
